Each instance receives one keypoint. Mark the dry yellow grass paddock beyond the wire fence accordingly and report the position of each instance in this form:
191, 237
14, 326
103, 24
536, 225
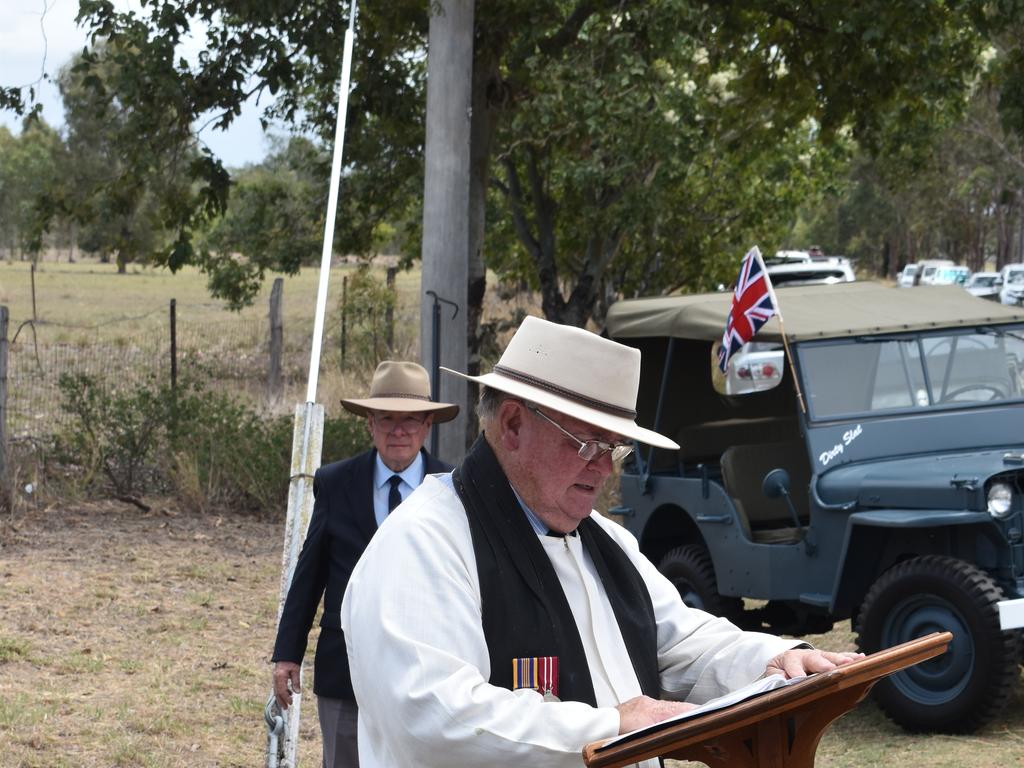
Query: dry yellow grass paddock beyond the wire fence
89, 304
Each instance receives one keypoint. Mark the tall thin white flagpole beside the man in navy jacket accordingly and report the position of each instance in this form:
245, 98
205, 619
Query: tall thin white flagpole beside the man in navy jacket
283, 727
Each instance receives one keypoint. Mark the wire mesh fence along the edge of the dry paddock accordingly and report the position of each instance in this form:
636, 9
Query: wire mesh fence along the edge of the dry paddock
222, 350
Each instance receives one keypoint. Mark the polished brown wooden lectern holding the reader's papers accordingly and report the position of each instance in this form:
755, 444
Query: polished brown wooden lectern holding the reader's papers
778, 730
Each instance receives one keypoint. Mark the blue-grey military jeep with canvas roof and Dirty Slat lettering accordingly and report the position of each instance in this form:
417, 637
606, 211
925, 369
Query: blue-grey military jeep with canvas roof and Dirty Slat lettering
875, 474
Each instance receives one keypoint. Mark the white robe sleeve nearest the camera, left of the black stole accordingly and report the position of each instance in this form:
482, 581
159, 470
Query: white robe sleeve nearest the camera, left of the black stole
419, 660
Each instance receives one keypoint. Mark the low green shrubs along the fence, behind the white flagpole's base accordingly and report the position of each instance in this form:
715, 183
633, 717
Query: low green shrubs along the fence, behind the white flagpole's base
207, 449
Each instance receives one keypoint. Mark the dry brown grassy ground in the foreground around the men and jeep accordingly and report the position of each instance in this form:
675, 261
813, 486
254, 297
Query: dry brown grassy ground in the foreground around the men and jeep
144, 639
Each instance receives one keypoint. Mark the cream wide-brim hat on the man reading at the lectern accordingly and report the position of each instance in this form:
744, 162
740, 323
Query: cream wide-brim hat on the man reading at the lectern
574, 372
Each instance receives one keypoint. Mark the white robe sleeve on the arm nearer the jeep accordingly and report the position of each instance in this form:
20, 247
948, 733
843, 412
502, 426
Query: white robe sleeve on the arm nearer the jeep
701, 657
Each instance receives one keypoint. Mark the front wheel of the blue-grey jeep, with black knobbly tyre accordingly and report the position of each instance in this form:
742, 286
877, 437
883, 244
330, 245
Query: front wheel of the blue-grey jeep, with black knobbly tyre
967, 687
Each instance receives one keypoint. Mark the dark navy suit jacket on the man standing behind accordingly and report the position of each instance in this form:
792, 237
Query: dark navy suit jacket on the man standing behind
340, 529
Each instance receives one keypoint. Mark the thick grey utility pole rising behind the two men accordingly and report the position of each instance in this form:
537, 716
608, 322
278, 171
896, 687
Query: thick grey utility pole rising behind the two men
446, 204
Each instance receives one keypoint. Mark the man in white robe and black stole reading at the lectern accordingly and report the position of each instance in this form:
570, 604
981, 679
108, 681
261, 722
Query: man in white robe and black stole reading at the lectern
422, 608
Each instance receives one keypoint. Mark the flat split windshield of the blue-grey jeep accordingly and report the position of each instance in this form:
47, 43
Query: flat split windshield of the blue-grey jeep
942, 370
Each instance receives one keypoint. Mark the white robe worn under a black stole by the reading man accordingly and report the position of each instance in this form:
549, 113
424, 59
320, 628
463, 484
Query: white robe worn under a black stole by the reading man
412, 617
